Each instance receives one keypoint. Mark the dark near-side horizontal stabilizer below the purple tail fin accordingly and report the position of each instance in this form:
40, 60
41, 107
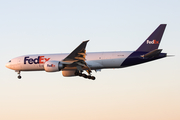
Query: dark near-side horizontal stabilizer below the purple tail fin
152, 54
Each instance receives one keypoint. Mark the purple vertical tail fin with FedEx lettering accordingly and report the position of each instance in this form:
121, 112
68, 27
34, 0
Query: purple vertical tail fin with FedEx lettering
153, 41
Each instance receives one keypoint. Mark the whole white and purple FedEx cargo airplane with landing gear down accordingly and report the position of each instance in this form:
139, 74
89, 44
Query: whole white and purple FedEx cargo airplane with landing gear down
78, 61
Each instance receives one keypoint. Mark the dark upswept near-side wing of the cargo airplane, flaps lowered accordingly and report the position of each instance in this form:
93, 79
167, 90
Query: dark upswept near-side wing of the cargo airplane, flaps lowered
77, 58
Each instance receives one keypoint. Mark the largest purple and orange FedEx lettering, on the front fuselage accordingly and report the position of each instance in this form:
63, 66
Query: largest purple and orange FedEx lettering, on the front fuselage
38, 60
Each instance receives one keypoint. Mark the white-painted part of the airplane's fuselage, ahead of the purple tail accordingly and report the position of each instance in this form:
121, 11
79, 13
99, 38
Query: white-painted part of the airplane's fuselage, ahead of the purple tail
95, 60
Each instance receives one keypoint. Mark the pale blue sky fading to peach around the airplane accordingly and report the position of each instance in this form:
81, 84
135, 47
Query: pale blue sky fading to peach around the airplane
148, 91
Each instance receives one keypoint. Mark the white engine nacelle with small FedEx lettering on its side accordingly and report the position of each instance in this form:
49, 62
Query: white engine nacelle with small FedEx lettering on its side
53, 66
